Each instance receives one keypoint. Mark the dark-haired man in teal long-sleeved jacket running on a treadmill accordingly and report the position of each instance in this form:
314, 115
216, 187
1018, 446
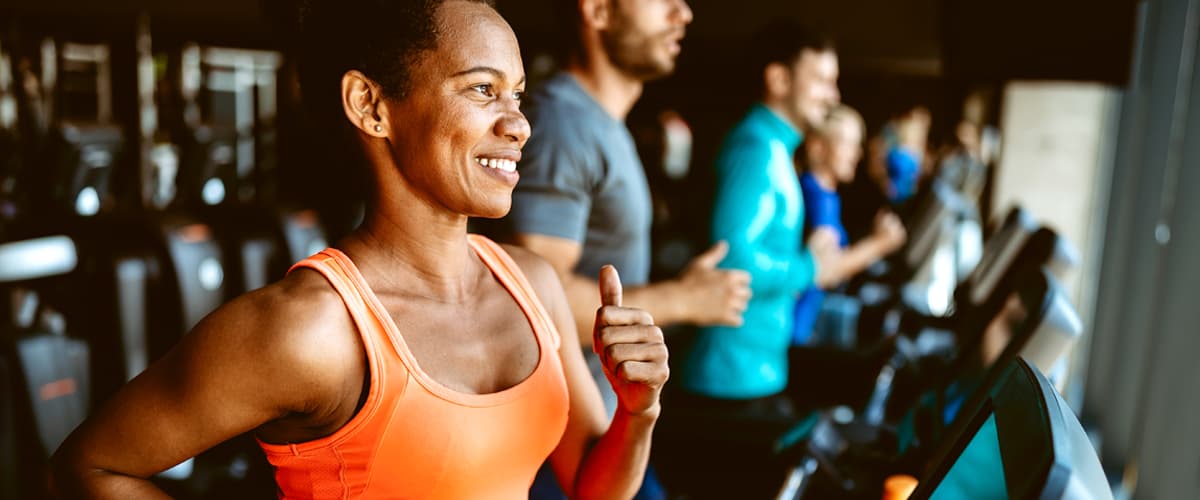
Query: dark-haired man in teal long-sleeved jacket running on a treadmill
760, 213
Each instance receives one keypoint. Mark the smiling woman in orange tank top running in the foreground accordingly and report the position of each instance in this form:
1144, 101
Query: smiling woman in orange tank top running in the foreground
413, 360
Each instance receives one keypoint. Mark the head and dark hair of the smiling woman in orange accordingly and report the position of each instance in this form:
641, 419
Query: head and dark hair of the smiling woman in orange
458, 87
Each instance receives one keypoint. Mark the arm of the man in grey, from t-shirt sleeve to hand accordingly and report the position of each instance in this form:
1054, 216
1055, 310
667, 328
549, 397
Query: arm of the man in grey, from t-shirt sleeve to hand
561, 170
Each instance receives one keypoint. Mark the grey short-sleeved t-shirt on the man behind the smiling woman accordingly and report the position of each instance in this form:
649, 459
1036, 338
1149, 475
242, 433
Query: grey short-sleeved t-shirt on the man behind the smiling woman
581, 179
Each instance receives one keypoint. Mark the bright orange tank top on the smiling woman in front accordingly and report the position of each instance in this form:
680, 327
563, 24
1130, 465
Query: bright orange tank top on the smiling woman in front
417, 439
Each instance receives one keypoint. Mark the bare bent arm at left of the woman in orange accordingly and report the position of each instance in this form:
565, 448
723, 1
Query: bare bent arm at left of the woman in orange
243, 366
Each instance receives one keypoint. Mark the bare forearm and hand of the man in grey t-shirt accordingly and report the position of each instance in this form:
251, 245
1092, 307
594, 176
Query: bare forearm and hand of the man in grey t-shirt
703, 294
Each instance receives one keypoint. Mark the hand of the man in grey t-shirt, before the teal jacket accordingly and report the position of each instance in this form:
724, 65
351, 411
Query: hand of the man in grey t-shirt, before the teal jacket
713, 297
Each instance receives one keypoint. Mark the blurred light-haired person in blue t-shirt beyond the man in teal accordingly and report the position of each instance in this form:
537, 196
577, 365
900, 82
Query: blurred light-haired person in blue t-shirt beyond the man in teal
830, 158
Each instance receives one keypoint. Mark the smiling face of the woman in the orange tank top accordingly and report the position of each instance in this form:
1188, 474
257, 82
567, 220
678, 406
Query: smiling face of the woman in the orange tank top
458, 136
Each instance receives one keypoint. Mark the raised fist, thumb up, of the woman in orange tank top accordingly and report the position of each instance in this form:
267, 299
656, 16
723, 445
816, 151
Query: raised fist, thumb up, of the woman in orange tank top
631, 348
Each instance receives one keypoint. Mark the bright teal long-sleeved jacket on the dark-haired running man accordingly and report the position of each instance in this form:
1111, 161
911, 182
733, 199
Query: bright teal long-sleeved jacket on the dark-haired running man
760, 213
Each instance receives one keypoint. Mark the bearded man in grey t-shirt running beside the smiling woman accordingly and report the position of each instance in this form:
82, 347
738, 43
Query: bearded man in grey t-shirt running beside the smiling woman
583, 201
